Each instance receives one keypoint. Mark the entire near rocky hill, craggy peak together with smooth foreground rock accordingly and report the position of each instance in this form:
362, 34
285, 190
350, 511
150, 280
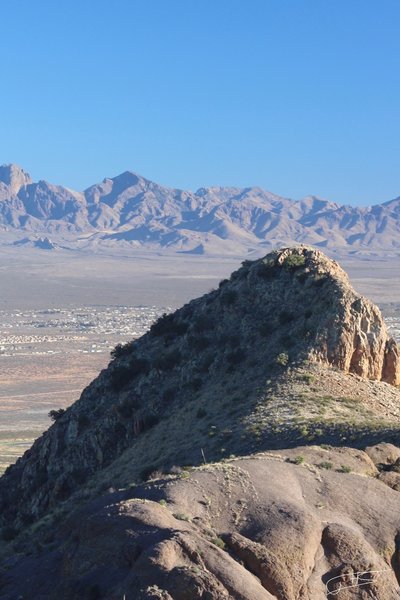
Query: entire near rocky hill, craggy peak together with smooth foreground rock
245, 447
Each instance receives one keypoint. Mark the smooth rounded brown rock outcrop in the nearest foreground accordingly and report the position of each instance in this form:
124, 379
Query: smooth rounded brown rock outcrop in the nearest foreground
289, 525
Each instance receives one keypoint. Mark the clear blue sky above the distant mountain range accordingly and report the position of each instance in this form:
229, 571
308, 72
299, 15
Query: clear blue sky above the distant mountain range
296, 96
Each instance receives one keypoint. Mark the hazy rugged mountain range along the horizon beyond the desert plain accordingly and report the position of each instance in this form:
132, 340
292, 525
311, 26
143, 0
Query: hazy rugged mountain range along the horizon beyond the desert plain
129, 211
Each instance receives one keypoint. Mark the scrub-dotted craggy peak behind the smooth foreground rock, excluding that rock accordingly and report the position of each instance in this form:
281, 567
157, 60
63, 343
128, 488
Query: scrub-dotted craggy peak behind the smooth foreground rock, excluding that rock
204, 377
